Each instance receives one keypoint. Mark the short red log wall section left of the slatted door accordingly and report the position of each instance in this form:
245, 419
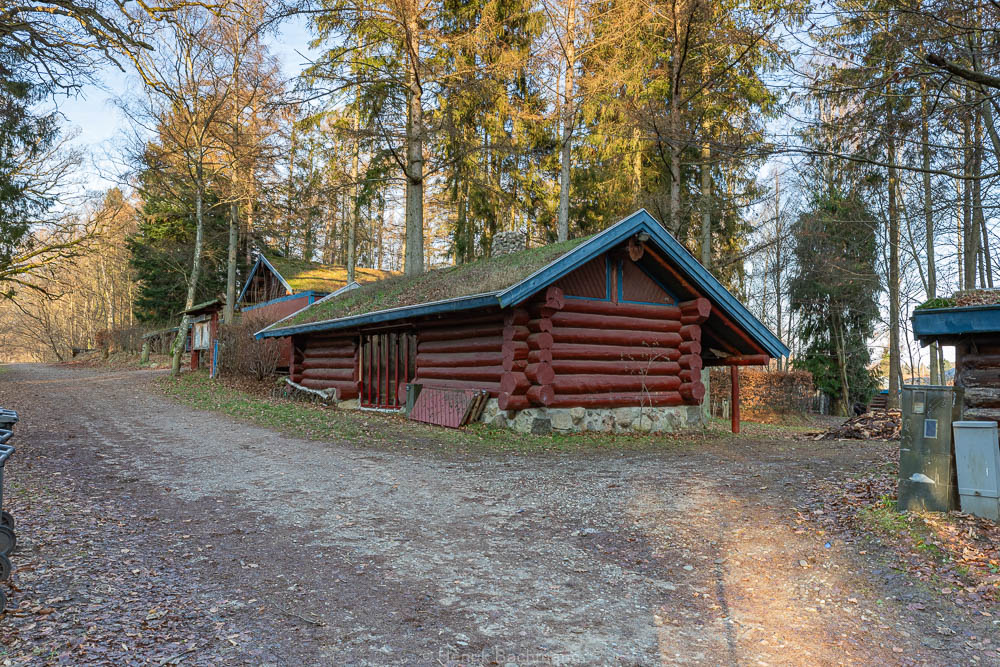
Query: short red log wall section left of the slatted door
326, 362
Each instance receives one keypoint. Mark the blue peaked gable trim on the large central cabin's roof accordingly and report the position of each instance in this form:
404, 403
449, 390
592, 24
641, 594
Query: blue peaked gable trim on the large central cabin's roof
642, 221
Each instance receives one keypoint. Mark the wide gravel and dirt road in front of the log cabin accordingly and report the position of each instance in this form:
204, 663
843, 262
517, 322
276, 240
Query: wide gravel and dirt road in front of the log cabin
288, 551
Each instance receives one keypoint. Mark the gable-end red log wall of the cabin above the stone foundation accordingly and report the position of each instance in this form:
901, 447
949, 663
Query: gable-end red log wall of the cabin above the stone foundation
619, 341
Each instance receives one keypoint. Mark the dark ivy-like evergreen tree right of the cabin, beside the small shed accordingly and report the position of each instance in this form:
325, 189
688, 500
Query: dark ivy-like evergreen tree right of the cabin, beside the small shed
834, 294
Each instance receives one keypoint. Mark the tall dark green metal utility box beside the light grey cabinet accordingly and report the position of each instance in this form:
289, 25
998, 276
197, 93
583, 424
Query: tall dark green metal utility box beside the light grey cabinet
927, 479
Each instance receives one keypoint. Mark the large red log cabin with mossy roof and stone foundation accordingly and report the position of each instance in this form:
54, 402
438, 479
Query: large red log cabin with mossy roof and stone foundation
609, 332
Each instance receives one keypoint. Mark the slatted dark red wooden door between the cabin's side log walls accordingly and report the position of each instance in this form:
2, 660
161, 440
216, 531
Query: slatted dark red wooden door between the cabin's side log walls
388, 360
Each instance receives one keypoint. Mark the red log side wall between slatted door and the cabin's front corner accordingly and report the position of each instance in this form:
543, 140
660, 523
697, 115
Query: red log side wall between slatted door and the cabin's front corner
461, 353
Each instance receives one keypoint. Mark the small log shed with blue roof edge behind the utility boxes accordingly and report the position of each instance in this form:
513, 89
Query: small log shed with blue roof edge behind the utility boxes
974, 331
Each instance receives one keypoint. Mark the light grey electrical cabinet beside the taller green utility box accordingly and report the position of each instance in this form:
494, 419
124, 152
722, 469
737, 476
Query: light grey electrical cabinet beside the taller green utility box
977, 460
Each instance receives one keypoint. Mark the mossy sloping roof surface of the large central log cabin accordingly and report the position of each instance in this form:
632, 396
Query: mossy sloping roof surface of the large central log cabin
480, 277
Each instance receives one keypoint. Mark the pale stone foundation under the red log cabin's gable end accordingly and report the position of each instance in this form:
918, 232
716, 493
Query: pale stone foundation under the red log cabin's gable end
541, 421
